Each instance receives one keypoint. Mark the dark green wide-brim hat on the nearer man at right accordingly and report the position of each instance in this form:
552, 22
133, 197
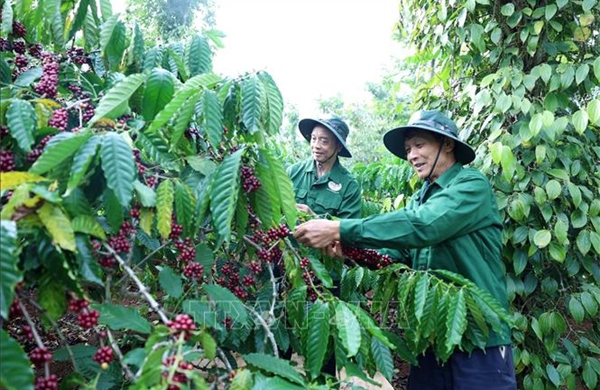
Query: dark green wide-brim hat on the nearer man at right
430, 120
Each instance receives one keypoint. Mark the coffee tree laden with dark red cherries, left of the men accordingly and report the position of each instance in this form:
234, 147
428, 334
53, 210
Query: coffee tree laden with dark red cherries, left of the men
145, 226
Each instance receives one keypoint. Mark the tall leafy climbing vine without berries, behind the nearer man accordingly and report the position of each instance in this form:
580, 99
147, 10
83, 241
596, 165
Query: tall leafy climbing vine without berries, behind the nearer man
522, 79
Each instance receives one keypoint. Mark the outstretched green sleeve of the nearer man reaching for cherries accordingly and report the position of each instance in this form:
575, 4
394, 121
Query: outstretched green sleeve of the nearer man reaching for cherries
451, 211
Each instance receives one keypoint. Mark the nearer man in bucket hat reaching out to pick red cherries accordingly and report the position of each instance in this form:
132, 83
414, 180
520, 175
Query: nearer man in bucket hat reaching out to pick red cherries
453, 223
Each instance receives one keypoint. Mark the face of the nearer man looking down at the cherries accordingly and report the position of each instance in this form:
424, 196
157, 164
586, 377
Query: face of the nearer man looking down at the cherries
421, 150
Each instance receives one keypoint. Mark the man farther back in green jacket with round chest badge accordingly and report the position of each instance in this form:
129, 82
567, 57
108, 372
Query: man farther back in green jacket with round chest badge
322, 185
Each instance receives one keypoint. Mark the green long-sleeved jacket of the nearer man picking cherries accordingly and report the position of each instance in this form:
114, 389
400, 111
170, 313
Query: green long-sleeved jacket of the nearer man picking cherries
456, 227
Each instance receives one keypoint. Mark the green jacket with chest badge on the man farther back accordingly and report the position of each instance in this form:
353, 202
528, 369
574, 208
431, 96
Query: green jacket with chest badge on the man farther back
335, 194
